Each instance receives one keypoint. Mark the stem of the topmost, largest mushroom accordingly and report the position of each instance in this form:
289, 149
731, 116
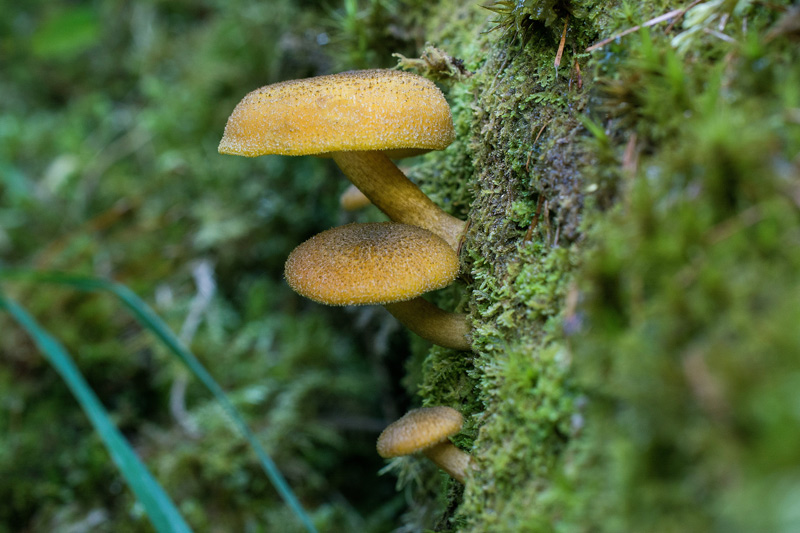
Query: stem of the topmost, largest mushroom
394, 194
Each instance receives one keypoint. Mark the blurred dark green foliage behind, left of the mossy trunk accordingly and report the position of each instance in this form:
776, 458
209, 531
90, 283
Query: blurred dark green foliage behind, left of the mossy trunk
110, 115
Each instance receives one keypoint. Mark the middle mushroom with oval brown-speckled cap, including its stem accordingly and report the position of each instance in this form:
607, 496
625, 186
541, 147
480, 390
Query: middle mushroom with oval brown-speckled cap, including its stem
385, 263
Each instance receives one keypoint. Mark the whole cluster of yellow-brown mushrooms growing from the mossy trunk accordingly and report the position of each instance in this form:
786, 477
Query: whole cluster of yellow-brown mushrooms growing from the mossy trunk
363, 120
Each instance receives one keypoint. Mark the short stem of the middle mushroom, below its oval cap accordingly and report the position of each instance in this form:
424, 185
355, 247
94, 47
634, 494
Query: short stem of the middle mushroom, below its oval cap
442, 328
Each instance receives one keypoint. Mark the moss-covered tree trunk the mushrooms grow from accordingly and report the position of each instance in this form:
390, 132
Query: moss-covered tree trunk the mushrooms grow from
631, 263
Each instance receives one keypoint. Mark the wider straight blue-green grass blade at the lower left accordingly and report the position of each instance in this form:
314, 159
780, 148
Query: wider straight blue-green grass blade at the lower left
157, 504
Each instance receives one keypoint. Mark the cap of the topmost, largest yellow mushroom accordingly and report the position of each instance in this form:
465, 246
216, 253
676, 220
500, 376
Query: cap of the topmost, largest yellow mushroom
359, 110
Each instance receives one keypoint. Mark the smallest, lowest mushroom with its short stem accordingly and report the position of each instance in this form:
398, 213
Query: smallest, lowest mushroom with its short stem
427, 430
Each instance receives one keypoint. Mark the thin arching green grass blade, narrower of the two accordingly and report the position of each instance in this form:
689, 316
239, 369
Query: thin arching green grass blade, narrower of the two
150, 320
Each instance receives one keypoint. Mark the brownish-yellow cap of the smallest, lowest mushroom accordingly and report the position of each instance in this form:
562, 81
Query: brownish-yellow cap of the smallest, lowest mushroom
419, 429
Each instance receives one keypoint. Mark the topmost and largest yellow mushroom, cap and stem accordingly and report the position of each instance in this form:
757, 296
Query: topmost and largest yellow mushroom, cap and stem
360, 118
